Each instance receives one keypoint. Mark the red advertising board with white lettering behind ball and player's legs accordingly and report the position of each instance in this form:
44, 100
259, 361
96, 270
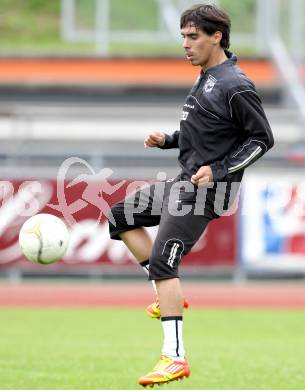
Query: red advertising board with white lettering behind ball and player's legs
80, 204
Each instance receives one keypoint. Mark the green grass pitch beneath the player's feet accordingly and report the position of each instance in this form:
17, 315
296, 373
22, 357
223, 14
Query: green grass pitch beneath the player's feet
108, 349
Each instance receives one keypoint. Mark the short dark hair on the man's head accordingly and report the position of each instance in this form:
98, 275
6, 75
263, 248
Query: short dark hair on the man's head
209, 19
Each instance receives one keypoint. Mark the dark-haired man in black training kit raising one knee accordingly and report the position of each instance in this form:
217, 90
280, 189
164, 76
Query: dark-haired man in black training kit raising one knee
223, 130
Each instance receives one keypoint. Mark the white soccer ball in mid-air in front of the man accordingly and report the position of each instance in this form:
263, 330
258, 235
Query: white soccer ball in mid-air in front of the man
44, 239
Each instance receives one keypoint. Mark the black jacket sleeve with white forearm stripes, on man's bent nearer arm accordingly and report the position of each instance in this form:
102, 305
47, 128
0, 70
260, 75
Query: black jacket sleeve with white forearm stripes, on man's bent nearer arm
256, 136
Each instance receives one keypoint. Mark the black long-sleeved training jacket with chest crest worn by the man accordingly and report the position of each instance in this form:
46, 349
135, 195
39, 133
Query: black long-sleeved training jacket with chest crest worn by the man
223, 124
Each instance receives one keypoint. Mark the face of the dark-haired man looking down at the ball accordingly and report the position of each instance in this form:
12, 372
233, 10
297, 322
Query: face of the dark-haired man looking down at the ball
197, 44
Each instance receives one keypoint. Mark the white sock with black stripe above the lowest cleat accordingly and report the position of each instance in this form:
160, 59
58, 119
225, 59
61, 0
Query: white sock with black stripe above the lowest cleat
173, 341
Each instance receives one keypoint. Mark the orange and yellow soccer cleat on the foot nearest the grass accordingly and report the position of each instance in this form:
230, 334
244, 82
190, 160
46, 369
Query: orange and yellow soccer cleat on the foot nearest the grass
166, 370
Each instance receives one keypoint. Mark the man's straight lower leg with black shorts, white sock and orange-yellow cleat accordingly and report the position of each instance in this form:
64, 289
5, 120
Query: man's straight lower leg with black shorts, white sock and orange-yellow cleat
176, 236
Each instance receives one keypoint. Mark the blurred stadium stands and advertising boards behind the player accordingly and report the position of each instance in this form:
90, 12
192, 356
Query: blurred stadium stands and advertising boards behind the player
87, 80
